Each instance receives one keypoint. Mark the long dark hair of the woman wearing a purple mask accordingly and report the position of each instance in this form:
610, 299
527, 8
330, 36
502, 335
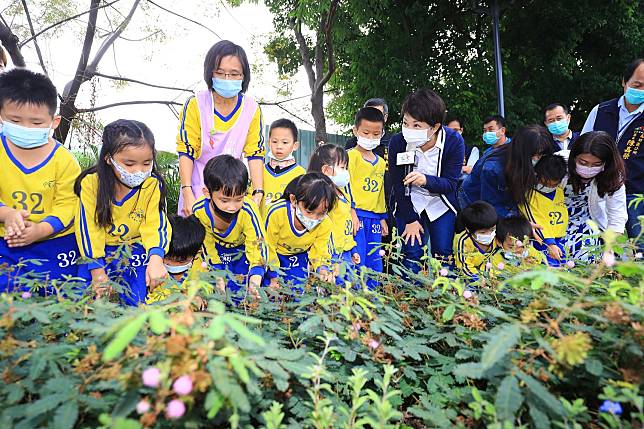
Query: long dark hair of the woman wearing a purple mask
603, 146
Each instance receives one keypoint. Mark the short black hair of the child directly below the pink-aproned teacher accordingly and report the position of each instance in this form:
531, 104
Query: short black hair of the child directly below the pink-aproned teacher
227, 174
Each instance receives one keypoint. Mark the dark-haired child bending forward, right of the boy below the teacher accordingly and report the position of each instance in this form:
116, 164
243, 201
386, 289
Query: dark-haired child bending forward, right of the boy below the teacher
299, 232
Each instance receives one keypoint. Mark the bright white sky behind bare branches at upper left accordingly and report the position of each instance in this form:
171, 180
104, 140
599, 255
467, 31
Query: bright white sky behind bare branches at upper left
175, 60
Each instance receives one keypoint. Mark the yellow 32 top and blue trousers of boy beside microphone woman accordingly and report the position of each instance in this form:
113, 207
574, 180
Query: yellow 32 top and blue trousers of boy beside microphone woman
366, 189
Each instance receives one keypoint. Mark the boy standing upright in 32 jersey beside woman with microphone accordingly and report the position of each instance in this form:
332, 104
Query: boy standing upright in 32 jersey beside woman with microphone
366, 189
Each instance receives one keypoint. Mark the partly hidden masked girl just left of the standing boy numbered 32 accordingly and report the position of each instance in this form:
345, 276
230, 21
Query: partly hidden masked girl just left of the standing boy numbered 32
332, 161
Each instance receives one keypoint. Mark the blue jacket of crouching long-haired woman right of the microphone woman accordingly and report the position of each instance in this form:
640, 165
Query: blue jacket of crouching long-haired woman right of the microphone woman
487, 183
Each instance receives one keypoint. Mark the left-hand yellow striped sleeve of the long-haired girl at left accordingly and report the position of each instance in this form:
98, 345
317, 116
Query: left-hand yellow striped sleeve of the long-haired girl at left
90, 236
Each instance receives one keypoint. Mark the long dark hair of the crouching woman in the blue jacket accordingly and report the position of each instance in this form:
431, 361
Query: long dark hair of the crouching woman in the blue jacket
527, 142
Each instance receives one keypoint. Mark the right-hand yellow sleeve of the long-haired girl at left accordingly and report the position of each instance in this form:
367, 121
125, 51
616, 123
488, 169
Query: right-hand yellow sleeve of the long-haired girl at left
155, 229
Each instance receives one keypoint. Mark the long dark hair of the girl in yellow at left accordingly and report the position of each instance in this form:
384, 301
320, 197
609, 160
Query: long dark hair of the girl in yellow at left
116, 136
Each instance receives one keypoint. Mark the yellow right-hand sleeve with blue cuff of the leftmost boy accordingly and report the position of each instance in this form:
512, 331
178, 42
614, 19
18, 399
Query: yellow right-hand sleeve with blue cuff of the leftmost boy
65, 200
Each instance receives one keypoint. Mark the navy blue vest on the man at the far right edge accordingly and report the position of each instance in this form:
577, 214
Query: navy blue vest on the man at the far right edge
629, 145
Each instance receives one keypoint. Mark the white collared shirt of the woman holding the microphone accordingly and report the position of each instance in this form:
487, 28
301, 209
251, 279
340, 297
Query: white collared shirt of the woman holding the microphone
421, 198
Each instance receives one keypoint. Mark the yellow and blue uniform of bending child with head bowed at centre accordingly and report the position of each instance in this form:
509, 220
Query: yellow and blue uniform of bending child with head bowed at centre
292, 250
